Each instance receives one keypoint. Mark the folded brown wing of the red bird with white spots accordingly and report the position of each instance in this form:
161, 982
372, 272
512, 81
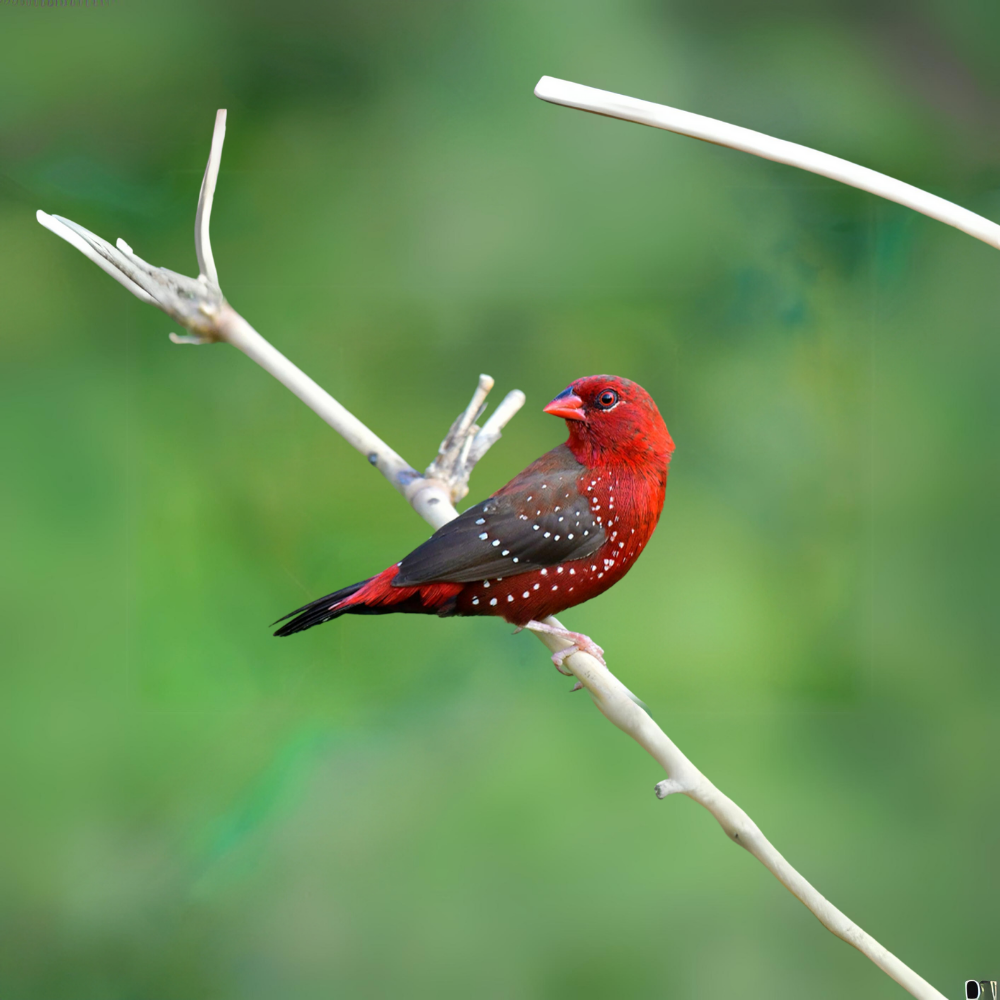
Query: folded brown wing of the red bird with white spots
538, 520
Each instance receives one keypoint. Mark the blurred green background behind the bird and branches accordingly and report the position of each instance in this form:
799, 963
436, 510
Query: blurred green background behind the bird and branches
409, 807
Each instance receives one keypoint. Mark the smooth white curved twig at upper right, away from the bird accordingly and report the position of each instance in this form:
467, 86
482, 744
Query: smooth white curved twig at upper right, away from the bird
603, 102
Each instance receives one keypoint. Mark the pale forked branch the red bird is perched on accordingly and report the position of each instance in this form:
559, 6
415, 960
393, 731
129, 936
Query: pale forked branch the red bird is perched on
198, 304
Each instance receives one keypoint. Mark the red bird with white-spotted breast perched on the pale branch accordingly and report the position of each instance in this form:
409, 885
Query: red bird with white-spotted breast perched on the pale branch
567, 528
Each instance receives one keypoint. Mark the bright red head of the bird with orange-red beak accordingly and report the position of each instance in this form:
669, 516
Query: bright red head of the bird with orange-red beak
608, 415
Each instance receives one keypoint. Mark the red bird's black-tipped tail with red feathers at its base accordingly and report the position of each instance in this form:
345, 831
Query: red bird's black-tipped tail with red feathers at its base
375, 596
